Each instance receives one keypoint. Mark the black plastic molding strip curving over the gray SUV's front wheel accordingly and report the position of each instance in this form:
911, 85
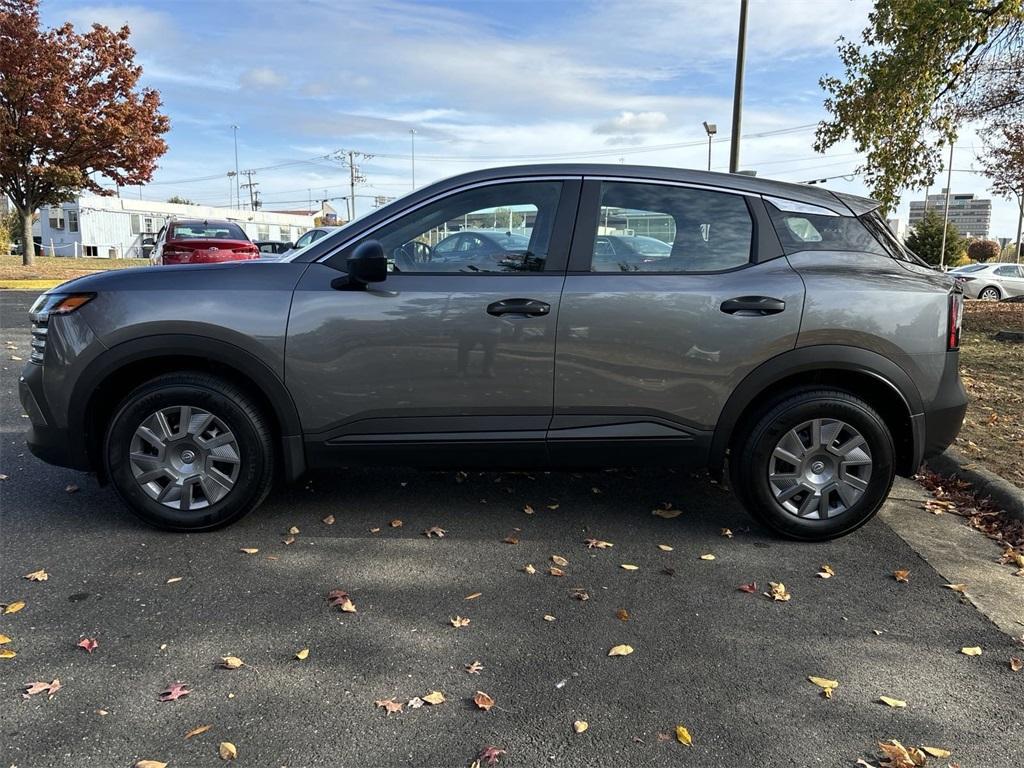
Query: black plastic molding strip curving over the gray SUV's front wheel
259, 373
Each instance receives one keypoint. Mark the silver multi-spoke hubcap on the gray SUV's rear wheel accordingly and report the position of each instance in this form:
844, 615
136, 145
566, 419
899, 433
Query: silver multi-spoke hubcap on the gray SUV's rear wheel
820, 470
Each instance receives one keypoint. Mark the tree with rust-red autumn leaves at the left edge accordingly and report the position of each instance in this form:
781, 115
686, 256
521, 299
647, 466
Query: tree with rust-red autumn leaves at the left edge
70, 112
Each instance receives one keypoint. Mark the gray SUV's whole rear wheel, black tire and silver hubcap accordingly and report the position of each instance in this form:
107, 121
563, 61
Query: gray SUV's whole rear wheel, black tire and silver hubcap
815, 465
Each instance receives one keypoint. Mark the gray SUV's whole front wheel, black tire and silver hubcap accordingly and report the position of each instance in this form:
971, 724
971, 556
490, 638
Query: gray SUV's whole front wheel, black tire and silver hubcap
190, 452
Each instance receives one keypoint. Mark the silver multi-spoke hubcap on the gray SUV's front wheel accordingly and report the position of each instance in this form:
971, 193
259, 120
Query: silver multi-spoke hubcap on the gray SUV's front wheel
185, 457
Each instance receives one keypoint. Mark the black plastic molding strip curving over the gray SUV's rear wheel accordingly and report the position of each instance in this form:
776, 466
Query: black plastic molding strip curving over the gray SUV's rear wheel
807, 361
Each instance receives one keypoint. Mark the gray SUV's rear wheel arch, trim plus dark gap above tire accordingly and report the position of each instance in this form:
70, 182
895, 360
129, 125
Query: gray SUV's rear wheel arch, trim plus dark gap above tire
882, 383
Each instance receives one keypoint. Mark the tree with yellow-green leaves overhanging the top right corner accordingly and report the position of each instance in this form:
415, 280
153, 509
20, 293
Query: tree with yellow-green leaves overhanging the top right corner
924, 69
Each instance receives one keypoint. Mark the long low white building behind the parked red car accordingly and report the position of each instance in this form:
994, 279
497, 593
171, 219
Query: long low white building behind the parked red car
119, 228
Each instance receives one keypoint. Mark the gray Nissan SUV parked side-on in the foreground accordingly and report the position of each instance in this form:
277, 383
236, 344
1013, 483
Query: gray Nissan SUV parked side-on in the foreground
783, 332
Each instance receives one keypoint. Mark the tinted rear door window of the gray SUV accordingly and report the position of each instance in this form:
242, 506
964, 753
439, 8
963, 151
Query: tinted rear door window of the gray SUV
661, 229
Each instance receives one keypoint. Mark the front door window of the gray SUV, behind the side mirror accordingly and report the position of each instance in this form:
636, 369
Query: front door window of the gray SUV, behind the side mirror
501, 229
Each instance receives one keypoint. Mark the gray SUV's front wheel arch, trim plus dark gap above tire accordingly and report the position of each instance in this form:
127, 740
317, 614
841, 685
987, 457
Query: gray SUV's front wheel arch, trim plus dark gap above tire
109, 378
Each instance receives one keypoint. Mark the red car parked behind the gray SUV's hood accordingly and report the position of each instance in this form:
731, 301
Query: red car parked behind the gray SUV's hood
202, 242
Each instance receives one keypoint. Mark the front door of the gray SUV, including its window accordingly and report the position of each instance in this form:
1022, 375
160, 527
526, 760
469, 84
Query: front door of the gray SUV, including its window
445, 361
